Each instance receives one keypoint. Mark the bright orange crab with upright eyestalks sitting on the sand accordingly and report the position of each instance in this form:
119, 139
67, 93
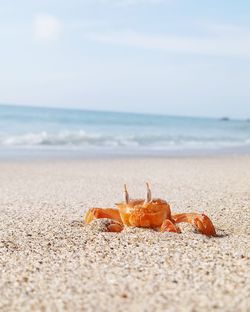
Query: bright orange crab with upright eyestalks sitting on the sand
151, 212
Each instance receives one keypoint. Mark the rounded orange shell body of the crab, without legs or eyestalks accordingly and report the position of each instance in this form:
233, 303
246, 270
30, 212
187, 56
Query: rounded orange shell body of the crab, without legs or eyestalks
141, 213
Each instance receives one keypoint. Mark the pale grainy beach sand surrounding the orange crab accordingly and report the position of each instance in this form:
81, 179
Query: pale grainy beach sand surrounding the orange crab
50, 261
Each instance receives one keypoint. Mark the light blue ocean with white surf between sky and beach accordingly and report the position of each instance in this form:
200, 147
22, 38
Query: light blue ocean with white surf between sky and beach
53, 131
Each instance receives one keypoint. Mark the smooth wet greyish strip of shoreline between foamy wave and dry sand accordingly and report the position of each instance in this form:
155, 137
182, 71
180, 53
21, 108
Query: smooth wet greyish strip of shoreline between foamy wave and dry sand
100, 153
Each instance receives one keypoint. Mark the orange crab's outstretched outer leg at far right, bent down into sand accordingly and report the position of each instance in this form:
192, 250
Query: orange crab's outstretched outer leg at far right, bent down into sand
201, 222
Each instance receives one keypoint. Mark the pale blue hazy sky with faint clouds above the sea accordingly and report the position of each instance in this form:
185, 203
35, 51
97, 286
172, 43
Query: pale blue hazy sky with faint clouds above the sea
178, 57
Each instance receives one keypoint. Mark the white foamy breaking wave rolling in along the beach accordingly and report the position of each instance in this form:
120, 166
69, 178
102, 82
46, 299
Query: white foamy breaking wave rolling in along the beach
82, 139
